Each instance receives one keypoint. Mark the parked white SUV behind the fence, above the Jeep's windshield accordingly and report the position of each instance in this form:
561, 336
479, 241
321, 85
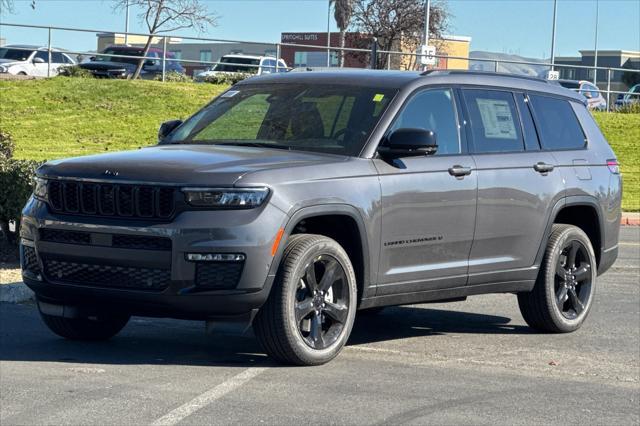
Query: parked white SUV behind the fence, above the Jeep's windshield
247, 64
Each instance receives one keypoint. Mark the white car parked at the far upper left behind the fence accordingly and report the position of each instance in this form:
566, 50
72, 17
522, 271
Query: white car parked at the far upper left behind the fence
32, 60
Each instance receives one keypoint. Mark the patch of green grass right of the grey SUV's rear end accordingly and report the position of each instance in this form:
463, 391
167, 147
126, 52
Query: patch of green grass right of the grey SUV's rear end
623, 133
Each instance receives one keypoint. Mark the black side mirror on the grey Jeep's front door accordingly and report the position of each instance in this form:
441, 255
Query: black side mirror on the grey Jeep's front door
409, 143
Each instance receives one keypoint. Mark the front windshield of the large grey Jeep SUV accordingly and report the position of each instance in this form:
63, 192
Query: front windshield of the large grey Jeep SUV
332, 119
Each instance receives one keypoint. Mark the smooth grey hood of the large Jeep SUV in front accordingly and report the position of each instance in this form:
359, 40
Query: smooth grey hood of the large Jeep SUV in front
182, 164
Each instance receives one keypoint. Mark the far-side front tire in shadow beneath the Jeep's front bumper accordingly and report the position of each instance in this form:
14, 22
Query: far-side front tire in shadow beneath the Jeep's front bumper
100, 328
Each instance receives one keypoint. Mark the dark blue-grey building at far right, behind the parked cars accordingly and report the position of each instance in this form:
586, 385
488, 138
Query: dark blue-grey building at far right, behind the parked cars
606, 58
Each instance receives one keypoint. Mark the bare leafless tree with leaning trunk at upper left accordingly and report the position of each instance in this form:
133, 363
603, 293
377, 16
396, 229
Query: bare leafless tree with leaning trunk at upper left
163, 16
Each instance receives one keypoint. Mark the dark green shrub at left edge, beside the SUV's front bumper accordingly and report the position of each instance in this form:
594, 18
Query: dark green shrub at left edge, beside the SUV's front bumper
16, 185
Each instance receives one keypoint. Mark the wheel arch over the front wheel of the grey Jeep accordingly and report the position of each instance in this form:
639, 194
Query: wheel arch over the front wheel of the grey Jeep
349, 231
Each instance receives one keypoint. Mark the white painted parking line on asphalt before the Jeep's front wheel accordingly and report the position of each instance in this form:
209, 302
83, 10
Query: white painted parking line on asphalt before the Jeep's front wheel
185, 410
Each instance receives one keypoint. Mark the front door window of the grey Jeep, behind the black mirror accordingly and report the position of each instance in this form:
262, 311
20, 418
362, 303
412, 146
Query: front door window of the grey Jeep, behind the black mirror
433, 110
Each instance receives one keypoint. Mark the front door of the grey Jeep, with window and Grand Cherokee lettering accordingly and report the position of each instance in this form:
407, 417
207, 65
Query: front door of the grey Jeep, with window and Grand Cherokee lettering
428, 202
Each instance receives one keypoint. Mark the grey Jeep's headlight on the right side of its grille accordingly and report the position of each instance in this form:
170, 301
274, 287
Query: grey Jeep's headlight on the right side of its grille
226, 198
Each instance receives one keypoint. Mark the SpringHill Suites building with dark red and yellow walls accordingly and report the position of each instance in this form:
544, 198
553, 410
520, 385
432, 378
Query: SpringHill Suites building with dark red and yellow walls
306, 54
